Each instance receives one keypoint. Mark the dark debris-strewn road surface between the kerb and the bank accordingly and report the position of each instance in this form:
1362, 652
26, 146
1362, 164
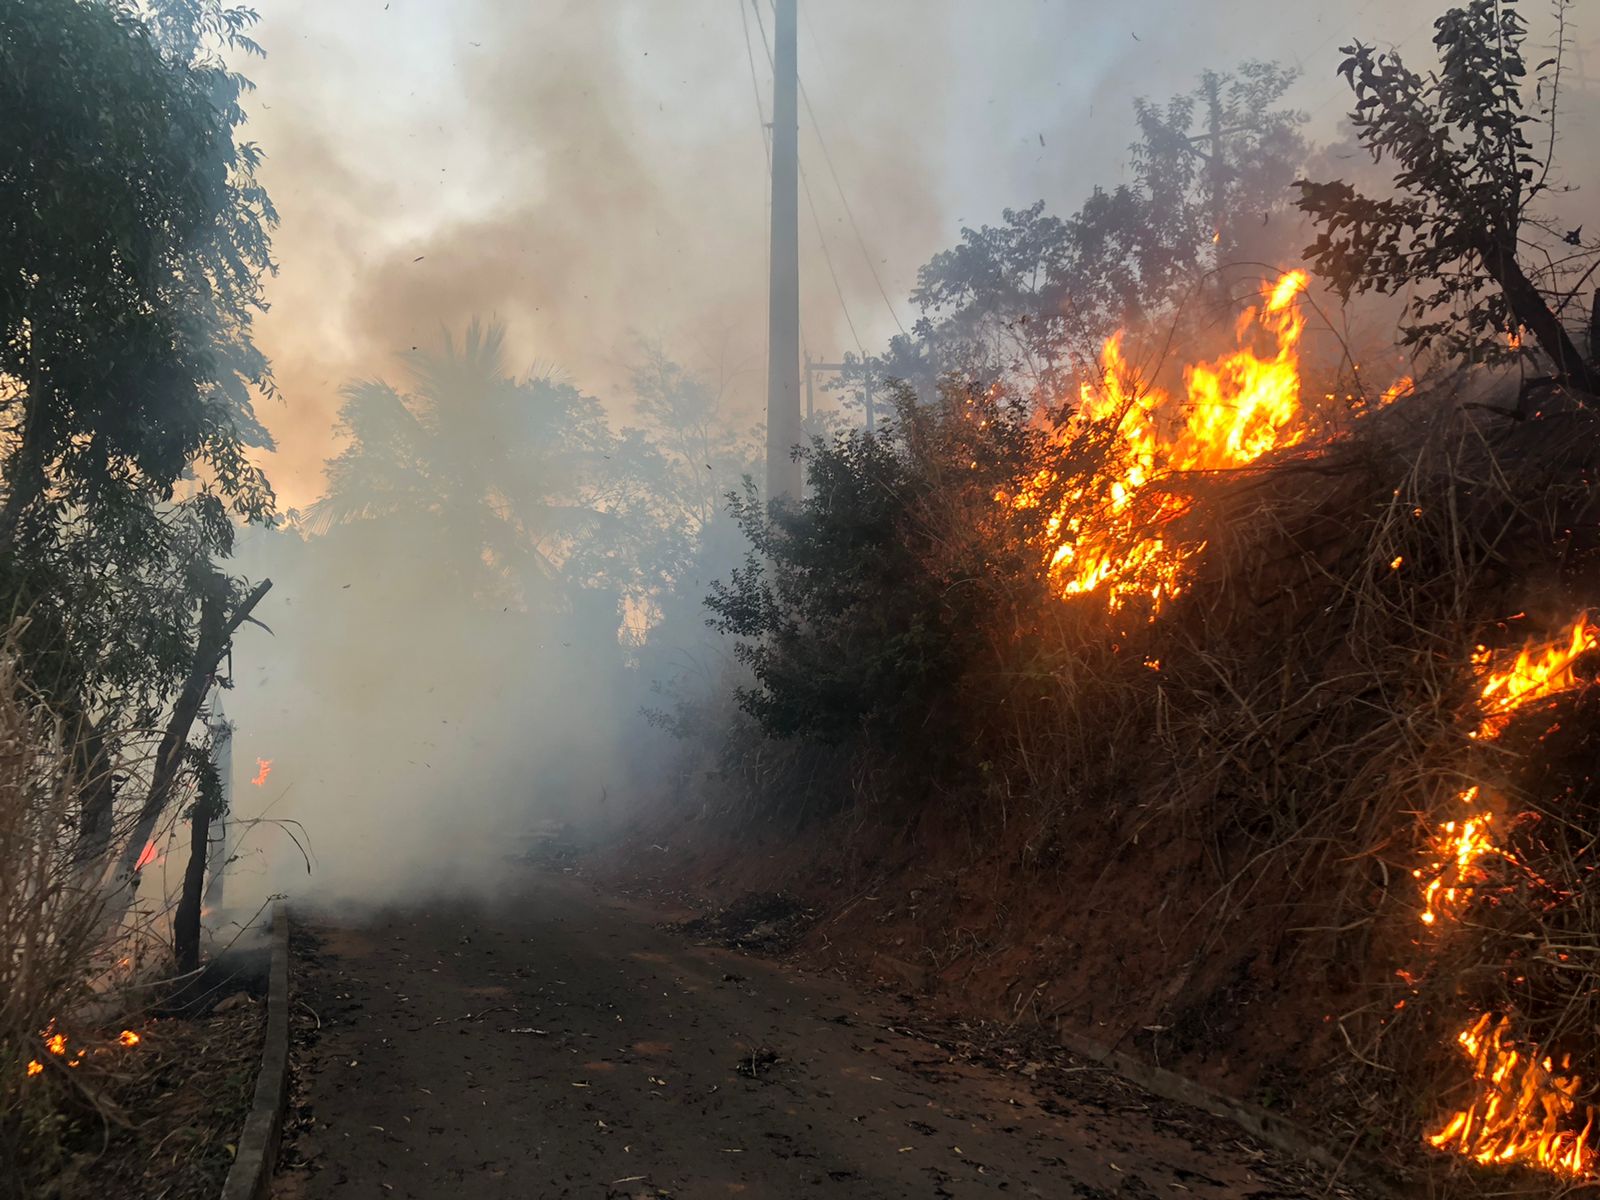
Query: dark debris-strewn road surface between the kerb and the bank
564, 1044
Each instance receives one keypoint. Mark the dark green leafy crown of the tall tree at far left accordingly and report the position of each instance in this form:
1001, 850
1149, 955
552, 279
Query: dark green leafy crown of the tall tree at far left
135, 236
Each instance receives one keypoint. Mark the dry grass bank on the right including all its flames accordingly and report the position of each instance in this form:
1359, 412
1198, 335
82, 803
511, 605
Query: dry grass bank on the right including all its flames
1319, 702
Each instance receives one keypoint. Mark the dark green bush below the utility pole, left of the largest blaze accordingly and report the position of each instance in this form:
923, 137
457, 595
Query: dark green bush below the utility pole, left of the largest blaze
860, 609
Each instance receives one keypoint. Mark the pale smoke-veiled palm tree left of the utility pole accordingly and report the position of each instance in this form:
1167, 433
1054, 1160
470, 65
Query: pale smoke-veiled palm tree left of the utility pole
513, 487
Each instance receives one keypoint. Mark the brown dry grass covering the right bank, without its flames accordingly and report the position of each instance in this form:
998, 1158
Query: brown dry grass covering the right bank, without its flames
1297, 724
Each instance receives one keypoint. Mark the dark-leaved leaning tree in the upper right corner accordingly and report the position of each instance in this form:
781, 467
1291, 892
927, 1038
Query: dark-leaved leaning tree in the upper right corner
1465, 223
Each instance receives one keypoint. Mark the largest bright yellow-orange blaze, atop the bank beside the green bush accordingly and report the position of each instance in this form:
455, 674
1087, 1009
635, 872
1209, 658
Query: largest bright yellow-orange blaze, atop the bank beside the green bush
1106, 535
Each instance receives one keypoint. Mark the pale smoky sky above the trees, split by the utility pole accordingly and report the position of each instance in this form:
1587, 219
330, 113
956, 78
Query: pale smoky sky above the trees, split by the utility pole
593, 172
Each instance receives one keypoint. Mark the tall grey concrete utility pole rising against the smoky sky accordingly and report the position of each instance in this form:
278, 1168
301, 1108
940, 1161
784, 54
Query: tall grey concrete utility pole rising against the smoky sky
783, 329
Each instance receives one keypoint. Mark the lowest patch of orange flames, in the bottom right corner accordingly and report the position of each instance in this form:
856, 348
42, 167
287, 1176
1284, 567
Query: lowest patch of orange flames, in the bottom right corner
1519, 1108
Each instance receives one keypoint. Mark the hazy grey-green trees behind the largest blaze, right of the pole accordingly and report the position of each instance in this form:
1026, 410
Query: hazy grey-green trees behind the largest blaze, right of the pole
1033, 298
